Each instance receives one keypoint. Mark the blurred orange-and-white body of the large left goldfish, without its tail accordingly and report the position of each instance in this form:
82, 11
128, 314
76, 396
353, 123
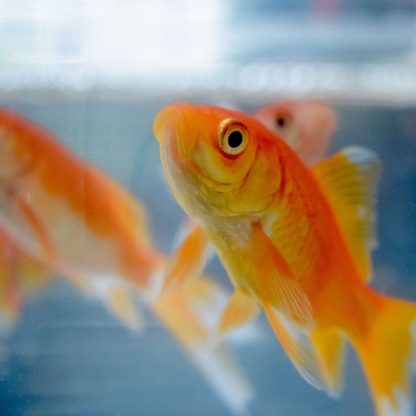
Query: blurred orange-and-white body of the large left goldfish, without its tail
66, 212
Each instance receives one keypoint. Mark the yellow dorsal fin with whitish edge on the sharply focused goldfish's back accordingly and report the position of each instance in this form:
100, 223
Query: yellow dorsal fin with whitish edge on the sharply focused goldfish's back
350, 180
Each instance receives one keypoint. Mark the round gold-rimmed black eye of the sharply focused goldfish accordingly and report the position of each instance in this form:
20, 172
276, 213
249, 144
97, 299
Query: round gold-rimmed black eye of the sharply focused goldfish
233, 137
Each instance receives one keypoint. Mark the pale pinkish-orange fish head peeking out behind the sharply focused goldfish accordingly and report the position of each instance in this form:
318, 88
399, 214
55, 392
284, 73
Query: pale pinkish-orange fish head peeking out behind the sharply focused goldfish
306, 126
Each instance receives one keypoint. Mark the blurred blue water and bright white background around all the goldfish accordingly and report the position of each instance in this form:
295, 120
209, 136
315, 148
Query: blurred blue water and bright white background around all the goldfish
96, 73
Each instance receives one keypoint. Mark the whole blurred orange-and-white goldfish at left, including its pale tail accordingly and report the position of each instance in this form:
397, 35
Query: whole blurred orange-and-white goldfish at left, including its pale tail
74, 220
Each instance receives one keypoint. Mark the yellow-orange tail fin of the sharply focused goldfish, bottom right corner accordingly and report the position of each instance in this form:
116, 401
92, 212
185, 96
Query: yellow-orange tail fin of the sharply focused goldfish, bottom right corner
388, 354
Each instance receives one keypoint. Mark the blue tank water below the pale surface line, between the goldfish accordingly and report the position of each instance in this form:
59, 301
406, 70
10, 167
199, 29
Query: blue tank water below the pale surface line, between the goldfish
69, 356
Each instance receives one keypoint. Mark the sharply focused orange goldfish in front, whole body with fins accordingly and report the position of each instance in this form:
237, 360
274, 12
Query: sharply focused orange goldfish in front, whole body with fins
295, 242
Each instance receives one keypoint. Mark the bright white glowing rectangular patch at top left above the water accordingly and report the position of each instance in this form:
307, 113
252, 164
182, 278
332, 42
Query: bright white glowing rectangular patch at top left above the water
140, 35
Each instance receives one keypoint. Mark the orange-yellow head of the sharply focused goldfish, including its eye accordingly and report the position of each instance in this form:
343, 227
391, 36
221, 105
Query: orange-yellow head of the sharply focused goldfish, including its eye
217, 161
